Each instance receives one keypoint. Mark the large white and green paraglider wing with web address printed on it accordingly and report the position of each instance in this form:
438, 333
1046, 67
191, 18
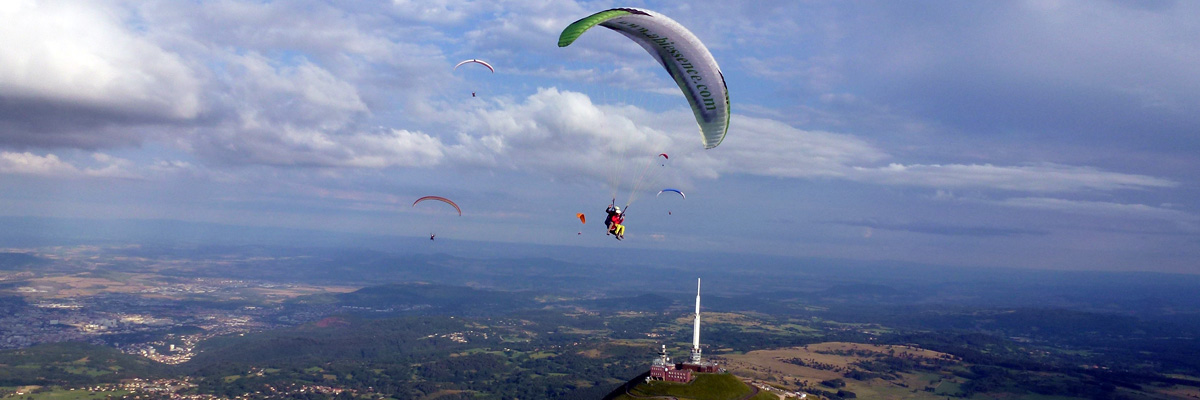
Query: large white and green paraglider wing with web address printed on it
680, 52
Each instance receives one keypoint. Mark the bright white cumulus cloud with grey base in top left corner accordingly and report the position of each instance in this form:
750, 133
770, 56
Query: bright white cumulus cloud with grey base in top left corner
75, 65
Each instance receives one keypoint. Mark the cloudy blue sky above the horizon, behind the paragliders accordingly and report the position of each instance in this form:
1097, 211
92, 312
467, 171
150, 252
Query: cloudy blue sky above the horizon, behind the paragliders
1059, 135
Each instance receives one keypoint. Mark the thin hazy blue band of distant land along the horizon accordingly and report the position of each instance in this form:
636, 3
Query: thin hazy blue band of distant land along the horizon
167, 232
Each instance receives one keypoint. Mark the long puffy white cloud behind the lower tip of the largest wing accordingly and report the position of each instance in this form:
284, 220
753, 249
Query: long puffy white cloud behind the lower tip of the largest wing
566, 135
